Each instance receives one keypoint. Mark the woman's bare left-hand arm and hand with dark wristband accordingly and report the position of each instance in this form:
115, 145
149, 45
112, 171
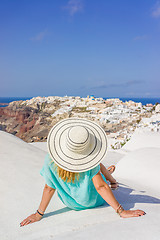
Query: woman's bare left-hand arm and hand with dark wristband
46, 197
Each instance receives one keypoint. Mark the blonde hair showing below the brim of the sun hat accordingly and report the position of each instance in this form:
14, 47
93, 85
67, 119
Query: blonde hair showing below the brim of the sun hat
66, 175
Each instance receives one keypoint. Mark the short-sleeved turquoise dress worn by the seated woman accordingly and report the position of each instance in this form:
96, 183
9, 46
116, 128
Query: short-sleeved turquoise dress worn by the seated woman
78, 195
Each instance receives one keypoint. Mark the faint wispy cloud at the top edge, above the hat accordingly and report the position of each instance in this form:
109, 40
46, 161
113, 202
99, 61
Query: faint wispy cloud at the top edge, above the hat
73, 6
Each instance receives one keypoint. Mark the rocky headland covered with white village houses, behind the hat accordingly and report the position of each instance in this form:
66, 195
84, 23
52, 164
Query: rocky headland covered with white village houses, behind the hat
32, 119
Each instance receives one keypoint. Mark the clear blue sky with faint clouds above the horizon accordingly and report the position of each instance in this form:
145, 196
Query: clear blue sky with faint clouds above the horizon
80, 47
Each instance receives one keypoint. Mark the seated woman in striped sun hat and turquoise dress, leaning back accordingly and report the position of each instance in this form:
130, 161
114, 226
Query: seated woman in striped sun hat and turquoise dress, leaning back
73, 167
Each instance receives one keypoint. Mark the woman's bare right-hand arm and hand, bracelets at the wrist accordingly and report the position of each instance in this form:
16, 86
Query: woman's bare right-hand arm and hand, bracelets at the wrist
106, 193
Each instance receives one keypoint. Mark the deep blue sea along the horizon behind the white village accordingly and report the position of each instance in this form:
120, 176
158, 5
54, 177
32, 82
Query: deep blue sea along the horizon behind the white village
144, 101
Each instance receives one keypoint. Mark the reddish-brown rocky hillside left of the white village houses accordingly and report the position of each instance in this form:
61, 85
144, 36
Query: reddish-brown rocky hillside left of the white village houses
30, 123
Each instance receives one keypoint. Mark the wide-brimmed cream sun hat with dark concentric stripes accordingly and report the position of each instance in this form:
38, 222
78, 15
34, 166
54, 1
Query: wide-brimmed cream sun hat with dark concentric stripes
77, 144
